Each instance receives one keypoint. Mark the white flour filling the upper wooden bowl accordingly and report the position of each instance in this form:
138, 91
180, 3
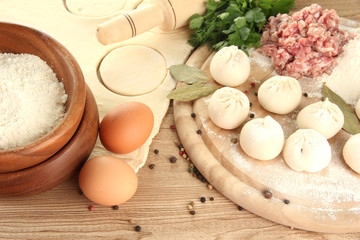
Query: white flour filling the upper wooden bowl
32, 99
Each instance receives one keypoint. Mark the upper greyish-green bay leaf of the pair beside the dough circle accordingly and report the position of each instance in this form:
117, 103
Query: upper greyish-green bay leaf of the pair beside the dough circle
187, 74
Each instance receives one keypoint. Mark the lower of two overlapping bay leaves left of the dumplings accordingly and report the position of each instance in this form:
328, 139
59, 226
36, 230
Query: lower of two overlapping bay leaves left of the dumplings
192, 92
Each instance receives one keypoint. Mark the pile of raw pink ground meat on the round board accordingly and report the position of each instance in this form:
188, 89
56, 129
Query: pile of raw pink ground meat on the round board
304, 44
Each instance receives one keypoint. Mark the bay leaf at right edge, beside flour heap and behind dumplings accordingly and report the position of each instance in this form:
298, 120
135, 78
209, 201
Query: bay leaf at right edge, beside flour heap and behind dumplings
351, 122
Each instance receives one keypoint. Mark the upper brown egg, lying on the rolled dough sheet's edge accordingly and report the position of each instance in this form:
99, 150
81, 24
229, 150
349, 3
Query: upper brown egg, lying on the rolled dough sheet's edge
126, 127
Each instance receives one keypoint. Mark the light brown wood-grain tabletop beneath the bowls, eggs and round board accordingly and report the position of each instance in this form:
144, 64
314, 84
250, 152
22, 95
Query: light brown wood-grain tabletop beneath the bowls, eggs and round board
160, 205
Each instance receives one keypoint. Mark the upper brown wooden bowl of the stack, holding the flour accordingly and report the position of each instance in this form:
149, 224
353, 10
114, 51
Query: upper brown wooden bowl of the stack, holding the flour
21, 39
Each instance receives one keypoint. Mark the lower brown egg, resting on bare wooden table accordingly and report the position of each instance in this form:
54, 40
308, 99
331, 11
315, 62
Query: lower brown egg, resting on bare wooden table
107, 180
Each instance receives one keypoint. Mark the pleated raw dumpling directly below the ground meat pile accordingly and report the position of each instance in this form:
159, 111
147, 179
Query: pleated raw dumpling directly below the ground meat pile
280, 94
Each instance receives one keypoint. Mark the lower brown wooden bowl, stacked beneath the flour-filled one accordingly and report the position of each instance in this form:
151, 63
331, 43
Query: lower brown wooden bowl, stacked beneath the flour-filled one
61, 166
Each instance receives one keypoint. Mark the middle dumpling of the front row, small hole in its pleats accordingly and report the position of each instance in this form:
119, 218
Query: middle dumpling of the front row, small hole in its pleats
307, 150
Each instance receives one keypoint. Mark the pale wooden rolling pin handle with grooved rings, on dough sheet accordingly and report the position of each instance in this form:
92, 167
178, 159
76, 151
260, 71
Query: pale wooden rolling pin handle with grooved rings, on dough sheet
129, 24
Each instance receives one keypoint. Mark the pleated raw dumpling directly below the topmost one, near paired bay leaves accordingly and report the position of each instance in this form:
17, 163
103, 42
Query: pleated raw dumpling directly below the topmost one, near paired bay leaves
228, 107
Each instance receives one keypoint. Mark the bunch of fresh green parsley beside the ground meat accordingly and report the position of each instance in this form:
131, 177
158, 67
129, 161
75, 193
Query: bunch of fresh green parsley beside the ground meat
234, 22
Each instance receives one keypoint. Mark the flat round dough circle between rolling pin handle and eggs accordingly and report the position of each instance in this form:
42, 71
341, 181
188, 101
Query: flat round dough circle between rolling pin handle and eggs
133, 70
